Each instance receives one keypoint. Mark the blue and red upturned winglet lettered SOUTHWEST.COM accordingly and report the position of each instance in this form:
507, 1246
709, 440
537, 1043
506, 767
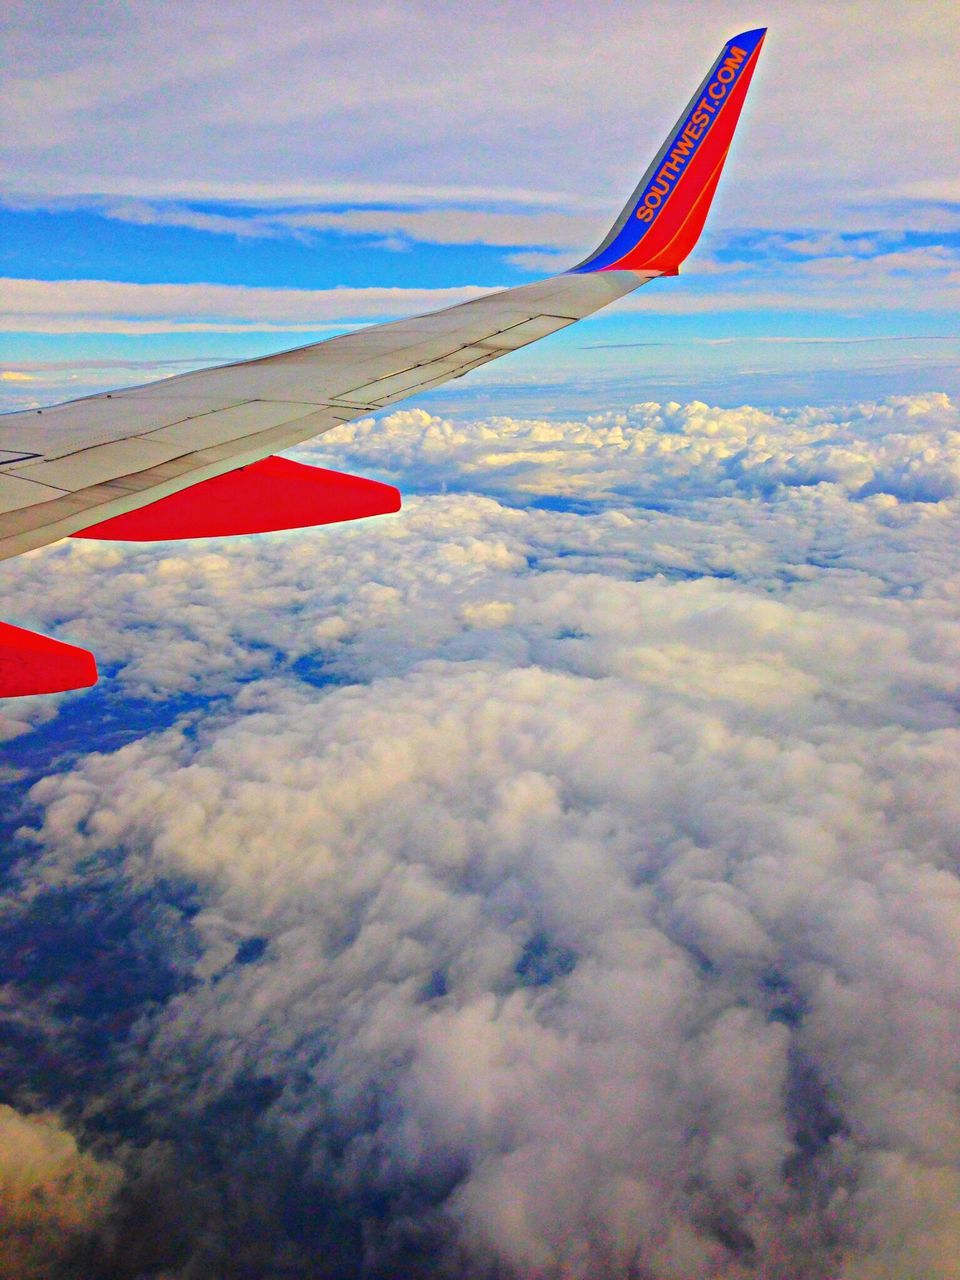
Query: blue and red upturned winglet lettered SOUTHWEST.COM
664, 218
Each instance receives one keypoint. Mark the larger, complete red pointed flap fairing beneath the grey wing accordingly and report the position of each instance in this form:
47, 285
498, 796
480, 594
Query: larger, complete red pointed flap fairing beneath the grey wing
257, 500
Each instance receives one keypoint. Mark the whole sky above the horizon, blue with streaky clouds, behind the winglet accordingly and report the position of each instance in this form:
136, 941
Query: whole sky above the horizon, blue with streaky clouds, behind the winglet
194, 182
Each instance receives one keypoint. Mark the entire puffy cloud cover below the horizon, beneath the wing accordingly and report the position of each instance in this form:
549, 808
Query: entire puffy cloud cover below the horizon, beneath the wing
514, 888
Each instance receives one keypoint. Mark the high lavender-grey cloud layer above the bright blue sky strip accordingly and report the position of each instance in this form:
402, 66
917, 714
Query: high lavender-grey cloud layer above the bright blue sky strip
122, 107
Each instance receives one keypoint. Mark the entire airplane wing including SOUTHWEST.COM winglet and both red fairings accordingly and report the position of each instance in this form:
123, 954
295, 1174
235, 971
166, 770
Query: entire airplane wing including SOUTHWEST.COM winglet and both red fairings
194, 455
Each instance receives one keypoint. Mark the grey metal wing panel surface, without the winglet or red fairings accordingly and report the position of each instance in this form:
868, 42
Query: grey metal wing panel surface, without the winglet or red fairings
75, 465
